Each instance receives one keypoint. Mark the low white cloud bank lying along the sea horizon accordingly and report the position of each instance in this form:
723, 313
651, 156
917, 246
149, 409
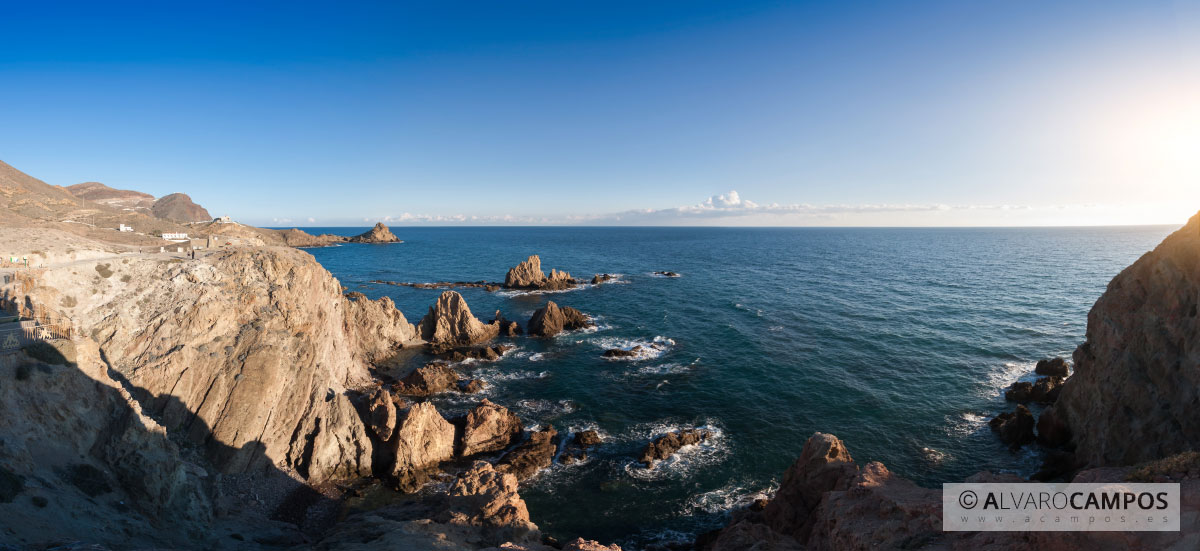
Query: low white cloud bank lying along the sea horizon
731, 209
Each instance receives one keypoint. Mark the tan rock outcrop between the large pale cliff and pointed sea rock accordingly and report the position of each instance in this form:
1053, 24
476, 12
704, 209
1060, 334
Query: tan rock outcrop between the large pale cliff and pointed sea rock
377, 327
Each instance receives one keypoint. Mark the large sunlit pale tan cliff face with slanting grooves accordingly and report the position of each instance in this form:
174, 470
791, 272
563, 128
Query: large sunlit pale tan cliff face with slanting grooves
244, 352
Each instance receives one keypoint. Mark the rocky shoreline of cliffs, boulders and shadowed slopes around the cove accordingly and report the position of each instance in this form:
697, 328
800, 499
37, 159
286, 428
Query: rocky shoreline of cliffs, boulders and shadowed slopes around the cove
251, 368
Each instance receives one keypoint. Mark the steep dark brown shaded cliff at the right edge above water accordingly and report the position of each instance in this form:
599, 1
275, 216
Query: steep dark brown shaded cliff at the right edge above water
1139, 370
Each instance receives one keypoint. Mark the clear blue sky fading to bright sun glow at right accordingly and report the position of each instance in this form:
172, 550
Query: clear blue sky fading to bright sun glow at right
675, 113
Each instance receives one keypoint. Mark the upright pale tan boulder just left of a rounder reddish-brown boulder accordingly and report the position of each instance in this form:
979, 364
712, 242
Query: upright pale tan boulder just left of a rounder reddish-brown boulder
423, 441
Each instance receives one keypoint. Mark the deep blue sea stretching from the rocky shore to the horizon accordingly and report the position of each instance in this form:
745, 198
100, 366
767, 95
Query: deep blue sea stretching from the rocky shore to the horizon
898, 342
